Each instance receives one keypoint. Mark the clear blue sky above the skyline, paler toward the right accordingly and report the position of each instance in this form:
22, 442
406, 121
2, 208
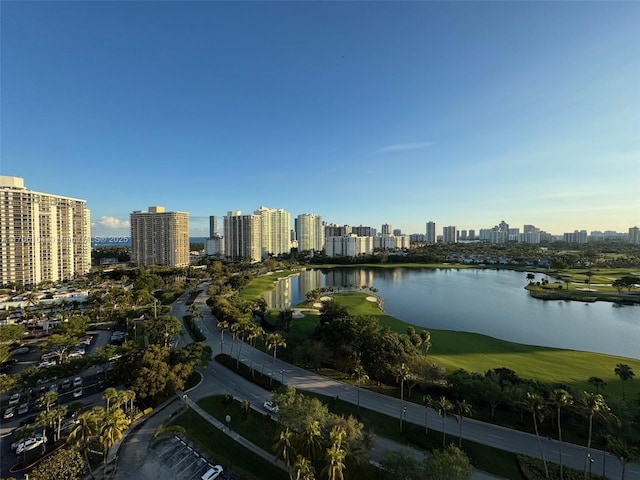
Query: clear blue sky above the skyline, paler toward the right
365, 113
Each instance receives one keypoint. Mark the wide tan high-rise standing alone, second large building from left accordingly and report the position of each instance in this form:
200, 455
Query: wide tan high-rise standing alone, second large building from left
159, 237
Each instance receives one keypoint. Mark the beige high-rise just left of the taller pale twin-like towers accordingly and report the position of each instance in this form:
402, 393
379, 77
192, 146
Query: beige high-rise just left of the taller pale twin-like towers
243, 236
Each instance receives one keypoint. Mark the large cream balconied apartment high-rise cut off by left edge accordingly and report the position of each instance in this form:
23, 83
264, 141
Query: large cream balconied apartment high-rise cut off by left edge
44, 236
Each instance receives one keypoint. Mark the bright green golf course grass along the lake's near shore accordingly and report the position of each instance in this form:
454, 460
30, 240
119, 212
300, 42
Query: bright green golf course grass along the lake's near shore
479, 353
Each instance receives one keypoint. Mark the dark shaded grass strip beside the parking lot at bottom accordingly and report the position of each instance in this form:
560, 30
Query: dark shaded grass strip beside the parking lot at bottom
228, 452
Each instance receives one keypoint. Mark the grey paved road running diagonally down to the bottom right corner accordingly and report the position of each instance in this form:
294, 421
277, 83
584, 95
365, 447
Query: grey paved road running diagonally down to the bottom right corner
218, 380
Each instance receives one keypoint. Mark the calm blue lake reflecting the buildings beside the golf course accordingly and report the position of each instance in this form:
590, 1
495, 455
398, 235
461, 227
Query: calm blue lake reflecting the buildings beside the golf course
491, 302
